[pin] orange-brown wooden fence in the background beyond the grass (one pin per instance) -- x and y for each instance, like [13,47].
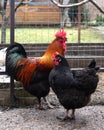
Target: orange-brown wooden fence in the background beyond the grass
[36,15]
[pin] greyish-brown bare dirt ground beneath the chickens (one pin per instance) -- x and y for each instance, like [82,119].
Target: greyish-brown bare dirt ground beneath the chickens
[90,117]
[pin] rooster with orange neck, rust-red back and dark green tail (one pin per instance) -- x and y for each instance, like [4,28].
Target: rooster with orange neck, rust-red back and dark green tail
[33,73]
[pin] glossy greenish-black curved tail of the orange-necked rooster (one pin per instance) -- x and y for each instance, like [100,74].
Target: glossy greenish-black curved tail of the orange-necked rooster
[13,53]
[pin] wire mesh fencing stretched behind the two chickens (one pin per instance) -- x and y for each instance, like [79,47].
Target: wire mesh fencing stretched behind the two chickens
[36,23]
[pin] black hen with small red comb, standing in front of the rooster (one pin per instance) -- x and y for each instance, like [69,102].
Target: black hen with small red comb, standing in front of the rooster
[73,87]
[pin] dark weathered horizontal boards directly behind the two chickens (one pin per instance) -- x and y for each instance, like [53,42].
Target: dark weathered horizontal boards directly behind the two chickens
[78,55]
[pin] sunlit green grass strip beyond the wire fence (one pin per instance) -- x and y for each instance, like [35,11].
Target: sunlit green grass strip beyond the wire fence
[46,35]
